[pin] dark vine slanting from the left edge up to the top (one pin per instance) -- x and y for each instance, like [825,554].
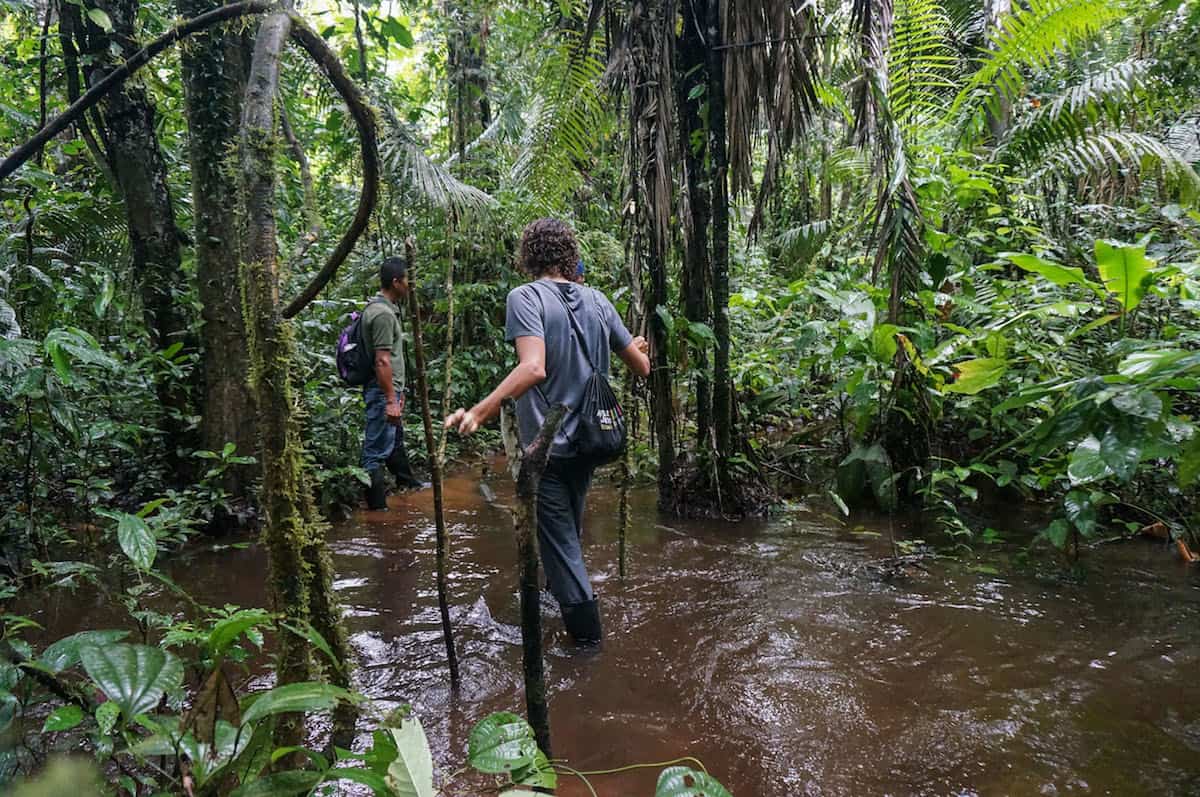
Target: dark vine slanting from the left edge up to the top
[22,154]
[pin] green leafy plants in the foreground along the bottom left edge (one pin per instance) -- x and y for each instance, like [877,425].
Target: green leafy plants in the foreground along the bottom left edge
[223,744]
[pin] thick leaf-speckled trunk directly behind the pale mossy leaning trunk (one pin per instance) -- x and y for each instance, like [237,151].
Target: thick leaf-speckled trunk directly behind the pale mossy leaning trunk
[214,73]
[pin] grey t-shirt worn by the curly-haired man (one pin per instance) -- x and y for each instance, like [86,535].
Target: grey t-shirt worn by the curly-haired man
[535,310]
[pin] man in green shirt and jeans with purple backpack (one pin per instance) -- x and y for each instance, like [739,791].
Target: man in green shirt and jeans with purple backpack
[383,442]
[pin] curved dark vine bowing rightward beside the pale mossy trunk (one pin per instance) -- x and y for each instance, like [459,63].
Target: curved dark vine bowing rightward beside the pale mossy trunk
[365,121]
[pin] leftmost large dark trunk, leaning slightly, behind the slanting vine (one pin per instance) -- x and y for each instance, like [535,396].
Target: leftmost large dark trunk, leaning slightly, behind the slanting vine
[141,171]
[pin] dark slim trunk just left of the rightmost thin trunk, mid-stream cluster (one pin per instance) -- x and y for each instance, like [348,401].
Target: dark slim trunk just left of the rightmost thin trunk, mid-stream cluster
[698,218]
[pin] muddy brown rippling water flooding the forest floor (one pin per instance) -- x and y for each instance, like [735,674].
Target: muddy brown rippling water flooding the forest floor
[759,649]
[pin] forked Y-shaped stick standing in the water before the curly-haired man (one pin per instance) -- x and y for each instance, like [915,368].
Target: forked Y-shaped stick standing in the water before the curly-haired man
[527,465]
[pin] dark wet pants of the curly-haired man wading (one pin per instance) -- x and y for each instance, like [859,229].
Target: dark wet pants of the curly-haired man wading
[561,501]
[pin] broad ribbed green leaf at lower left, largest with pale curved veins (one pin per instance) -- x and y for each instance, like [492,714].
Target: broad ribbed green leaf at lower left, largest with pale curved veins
[134,676]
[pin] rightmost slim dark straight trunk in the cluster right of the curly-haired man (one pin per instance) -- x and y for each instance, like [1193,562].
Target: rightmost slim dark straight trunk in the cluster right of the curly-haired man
[723,398]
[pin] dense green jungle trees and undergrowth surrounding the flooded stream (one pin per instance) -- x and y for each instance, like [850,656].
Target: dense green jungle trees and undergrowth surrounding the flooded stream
[920,257]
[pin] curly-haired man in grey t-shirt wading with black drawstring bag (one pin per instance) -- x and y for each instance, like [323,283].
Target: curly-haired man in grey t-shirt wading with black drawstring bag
[554,368]
